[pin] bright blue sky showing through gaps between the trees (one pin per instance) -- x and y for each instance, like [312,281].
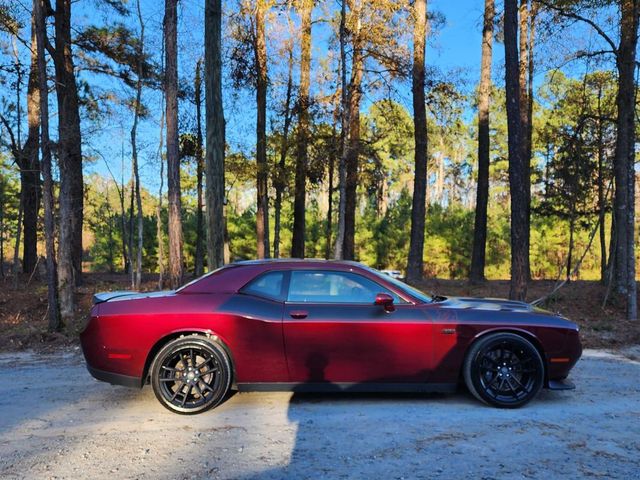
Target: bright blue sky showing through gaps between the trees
[454,50]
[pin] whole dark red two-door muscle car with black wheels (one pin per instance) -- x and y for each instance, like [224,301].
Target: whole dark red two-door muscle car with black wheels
[313,325]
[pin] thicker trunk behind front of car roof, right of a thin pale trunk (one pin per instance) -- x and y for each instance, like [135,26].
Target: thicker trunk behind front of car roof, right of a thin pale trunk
[353,144]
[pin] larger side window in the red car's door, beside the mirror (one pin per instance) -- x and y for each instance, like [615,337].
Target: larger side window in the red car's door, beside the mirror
[334,287]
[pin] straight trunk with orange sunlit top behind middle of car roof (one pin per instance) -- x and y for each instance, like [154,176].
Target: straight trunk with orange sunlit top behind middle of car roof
[305,8]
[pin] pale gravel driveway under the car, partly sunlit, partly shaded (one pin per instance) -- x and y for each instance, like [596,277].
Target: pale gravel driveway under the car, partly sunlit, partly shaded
[57,422]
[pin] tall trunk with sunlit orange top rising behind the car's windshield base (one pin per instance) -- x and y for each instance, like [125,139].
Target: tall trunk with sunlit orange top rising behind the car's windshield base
[418,207]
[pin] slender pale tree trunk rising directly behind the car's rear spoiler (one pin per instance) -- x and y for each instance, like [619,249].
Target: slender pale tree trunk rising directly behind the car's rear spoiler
[134,150]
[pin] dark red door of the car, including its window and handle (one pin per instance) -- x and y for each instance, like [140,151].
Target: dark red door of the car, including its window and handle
[334,332]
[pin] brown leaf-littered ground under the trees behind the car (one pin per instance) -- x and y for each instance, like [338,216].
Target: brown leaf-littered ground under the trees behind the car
[23,312]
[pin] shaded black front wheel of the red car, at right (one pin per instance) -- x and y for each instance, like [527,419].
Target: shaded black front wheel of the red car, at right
[504,370]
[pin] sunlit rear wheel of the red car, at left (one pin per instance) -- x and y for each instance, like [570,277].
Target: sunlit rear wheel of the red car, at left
[190,375]
